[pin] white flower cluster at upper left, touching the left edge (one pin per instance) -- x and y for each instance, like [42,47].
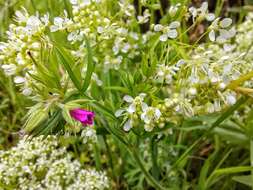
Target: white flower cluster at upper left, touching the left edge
[23,46]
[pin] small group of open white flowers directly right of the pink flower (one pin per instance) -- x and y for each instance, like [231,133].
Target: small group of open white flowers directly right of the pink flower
[137,111]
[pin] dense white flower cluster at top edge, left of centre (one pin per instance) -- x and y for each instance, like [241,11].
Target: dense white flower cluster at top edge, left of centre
[112,39]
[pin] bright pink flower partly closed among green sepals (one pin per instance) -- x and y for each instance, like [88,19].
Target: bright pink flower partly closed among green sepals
[84,116]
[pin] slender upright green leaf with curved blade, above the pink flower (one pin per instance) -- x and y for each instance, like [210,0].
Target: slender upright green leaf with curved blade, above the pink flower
[90,66]
